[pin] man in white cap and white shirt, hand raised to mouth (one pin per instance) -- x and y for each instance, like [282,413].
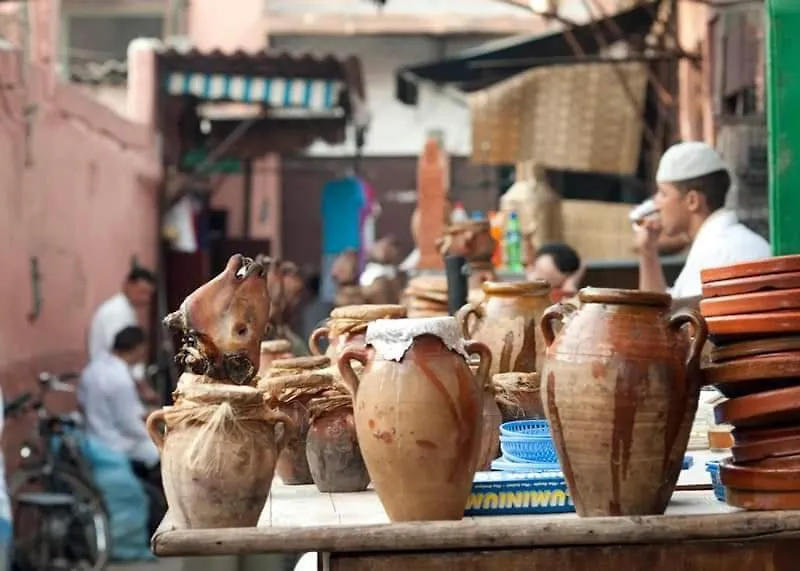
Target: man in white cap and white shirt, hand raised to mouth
[693,182]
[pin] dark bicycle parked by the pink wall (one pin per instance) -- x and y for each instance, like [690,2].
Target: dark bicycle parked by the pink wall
[72,532]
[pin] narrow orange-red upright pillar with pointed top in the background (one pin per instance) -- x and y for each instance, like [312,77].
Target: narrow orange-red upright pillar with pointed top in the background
[433,181]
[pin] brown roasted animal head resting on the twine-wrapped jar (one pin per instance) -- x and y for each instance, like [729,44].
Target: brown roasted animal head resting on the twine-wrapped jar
[223,322]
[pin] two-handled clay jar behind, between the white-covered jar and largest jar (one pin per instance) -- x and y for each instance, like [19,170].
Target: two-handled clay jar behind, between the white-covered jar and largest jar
[508,322]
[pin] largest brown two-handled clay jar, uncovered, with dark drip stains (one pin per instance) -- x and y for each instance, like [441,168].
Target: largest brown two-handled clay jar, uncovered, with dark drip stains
[620,386]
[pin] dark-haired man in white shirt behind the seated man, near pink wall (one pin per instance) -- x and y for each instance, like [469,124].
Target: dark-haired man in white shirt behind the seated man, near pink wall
[119,311]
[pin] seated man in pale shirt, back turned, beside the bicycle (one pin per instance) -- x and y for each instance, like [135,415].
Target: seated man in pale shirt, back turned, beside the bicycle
[113,411]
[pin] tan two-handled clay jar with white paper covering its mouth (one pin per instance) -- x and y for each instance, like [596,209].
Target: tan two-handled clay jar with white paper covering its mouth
[418,414]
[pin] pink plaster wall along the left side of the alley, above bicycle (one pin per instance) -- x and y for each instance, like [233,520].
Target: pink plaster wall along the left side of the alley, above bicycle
[83,201]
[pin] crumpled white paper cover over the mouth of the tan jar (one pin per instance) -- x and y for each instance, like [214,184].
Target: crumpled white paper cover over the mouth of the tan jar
[391,338]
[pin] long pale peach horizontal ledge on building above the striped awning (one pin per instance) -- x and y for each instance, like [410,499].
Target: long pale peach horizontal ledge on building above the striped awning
[326,24]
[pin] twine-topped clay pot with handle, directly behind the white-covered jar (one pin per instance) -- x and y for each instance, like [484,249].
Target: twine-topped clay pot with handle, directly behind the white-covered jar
[348,324]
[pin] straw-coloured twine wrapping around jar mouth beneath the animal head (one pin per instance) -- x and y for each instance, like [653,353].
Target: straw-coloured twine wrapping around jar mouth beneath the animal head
[214,421]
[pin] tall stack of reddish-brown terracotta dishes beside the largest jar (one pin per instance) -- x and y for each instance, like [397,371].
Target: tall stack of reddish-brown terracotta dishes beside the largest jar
[753,315]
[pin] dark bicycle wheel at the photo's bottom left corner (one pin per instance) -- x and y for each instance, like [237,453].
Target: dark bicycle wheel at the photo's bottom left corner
[87,544]
